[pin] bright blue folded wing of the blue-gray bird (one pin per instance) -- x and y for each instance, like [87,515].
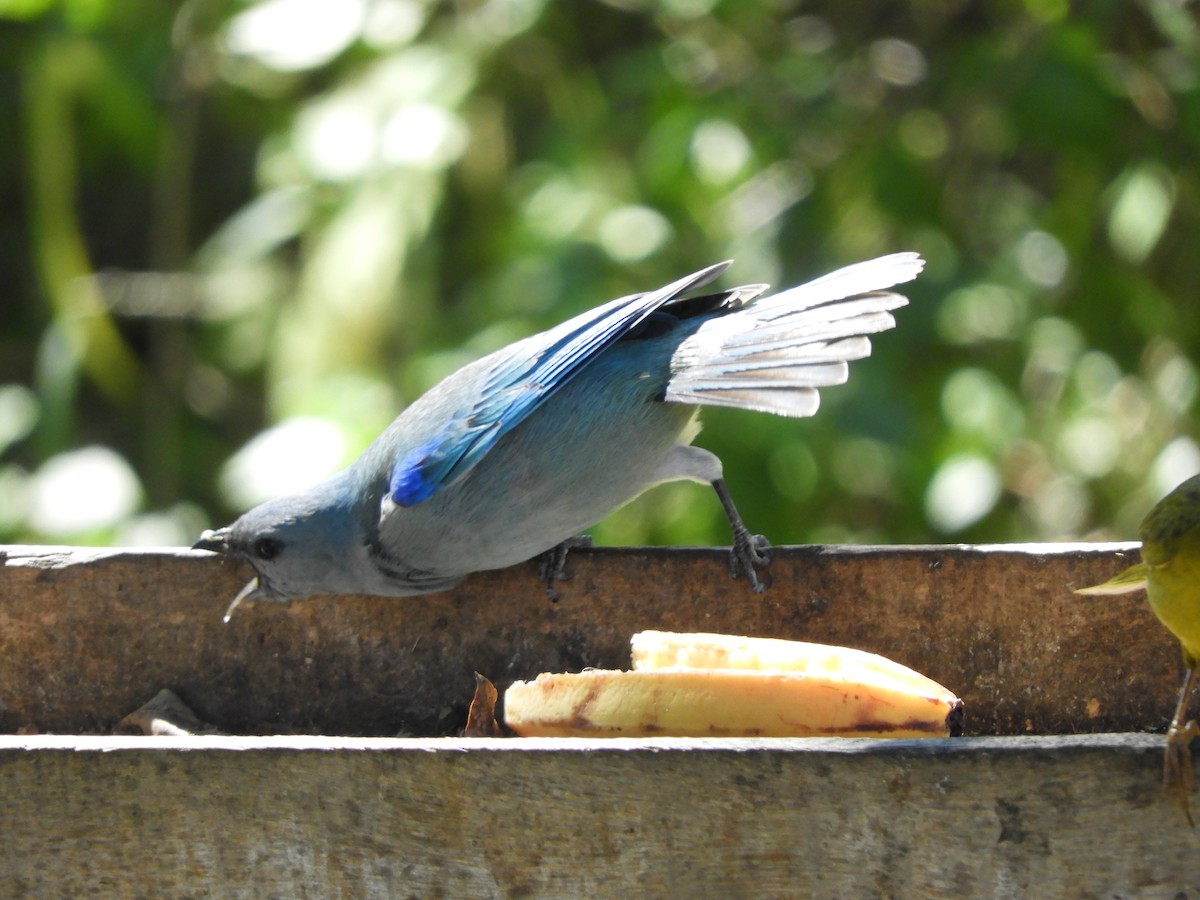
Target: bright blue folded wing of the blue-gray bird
[532,373]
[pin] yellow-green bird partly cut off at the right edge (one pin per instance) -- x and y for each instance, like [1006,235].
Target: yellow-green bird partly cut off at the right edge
[1171,573]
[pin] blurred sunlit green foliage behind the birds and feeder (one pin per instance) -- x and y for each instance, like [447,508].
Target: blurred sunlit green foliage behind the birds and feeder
[238,238]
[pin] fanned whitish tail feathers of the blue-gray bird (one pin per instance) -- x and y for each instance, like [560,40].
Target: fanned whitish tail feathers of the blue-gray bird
[773,355]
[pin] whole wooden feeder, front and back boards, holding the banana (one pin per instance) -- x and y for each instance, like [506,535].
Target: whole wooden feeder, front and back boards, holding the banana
[331,766]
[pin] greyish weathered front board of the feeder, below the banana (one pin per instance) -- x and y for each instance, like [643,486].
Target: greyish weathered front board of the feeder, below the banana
[1007,818]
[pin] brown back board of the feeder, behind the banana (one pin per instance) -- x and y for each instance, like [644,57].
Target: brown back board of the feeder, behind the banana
[87,637]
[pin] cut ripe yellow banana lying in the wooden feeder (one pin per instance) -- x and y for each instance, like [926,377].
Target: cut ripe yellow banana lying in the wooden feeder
[743,687]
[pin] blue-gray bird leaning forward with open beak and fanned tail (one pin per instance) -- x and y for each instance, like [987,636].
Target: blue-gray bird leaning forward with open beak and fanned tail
[515,454]
